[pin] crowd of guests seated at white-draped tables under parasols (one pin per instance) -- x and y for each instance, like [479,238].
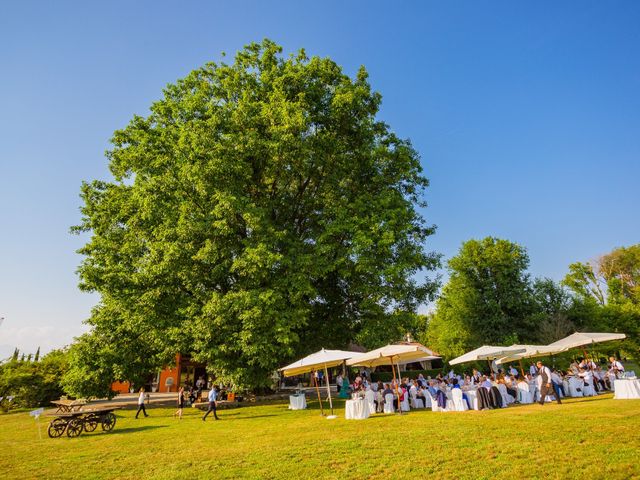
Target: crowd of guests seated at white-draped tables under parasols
[493,389]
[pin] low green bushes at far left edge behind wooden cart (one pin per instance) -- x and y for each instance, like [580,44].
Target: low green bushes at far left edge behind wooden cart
[33,384]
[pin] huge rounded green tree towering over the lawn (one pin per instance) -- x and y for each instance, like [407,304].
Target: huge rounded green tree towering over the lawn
[260,211]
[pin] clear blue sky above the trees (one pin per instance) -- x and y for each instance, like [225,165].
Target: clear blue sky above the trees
[526,115]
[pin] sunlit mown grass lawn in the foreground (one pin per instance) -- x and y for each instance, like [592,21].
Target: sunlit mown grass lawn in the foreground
[585,438]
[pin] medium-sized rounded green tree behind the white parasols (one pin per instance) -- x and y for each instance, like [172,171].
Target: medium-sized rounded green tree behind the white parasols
[487,300]
